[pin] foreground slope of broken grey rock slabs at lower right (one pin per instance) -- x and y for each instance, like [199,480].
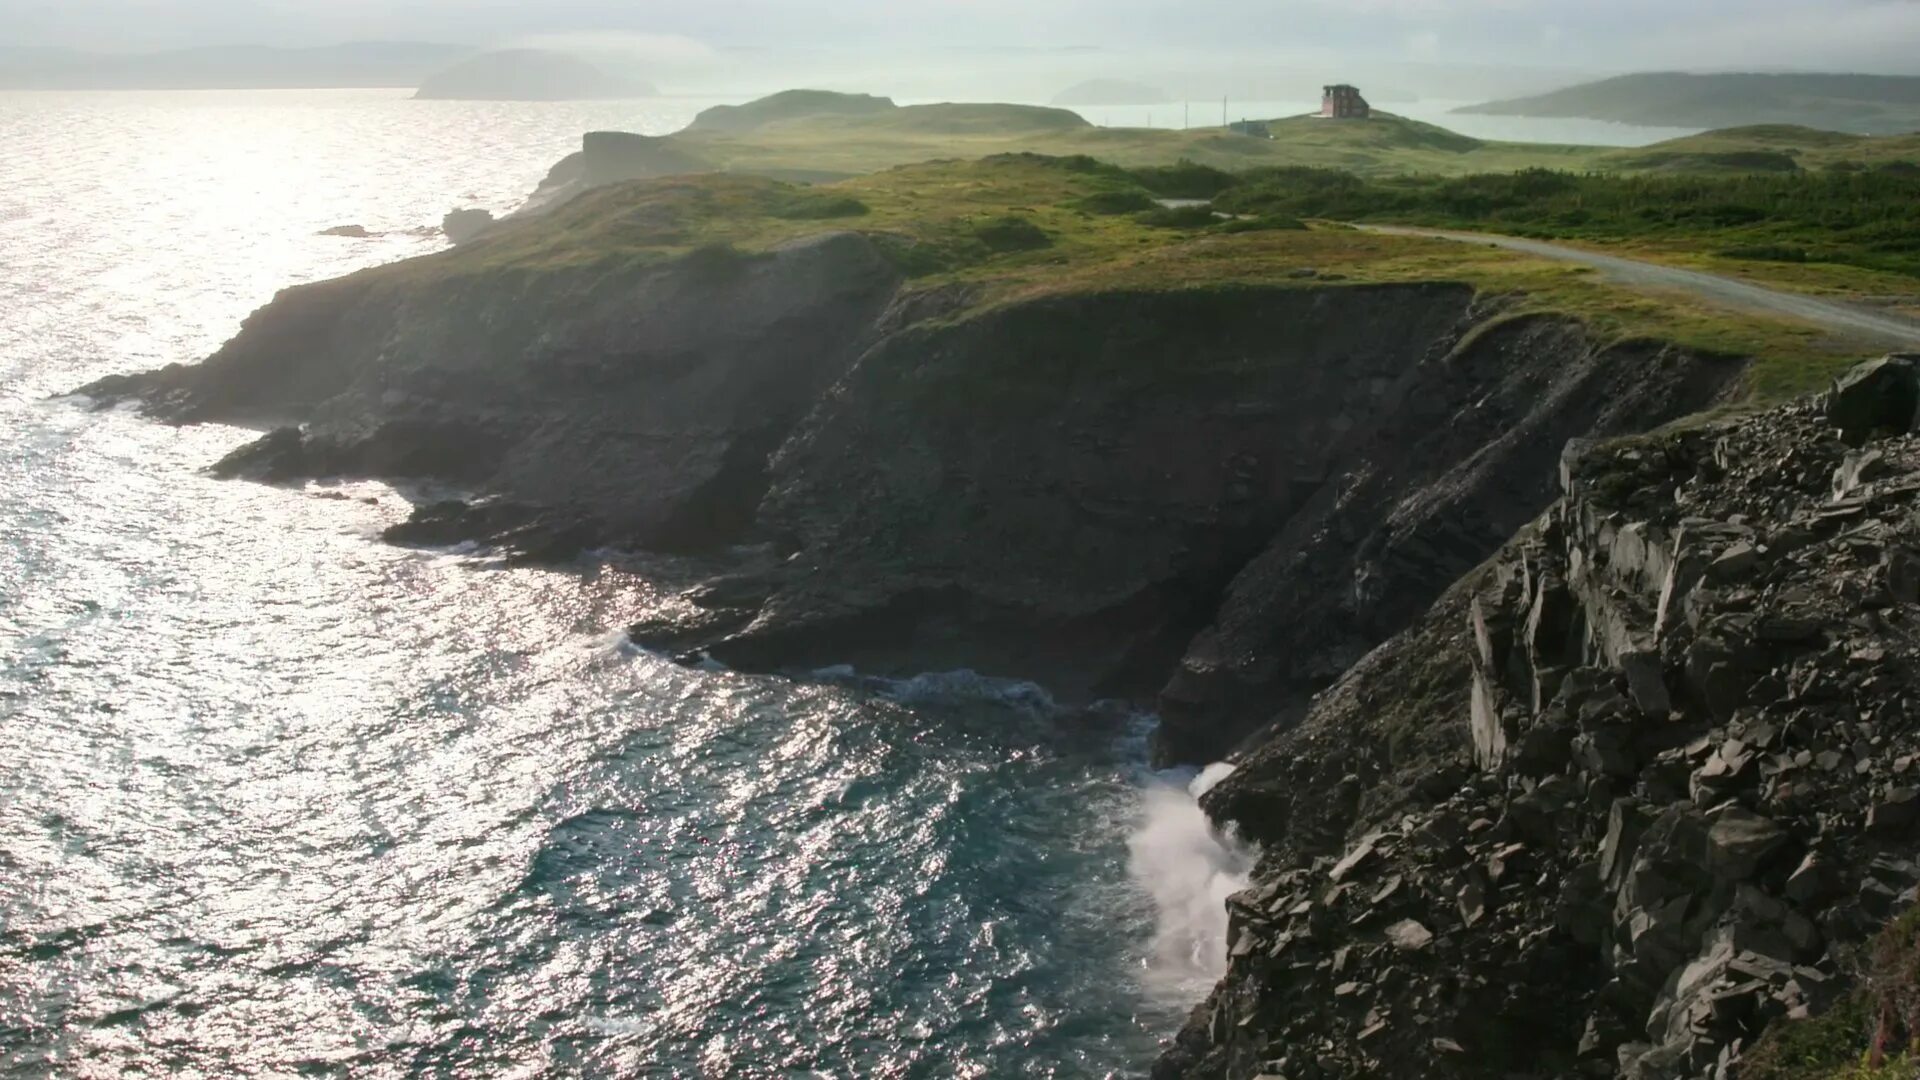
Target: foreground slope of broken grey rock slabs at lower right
[1627,795]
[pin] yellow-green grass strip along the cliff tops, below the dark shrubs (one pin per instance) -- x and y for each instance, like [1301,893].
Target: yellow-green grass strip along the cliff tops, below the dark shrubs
[1017,228]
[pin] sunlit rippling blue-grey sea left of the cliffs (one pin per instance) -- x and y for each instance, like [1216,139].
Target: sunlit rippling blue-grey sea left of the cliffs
[283,800]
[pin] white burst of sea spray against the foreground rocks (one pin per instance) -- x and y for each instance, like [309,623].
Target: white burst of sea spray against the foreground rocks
[1189,870]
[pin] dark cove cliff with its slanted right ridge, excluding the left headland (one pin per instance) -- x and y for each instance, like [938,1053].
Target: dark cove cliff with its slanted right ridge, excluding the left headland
[1028,497]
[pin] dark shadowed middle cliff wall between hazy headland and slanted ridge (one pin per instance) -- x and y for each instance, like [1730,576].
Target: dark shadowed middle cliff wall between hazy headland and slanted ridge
[1063,489]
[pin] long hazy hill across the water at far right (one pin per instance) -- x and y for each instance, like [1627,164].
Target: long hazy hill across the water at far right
[1863,105]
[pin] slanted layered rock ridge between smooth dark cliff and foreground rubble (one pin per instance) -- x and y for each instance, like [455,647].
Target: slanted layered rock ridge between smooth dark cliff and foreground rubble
[1414,493]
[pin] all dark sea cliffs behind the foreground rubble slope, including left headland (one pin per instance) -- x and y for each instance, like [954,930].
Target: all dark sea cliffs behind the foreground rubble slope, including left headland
[1241,489]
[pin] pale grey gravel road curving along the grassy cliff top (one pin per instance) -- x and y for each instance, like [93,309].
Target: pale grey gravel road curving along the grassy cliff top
[1844,318]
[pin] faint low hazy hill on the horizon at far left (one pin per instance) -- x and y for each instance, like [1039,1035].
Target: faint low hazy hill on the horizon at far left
[228,68]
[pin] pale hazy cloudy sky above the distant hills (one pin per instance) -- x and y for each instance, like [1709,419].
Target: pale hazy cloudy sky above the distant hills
[1873,36]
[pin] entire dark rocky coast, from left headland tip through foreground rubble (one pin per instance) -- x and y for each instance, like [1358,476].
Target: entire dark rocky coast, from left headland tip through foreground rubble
[1531,758]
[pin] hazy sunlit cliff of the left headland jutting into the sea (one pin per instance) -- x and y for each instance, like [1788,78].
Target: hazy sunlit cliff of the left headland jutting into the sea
[642,405]
